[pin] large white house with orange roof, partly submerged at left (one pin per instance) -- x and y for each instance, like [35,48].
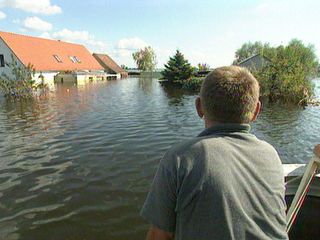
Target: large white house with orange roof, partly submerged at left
[53,60]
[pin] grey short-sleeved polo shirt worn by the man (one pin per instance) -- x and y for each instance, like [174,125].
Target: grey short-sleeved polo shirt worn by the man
[224,184]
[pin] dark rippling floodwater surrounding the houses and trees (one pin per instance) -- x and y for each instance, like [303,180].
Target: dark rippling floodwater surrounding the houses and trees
[78,164]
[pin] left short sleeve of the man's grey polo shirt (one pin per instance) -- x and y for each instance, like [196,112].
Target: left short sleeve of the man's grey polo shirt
[160,204]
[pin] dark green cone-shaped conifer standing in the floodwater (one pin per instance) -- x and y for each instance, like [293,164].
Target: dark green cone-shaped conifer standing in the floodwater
[177,69]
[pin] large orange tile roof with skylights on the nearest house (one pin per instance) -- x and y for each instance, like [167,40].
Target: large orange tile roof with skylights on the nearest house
[40,53]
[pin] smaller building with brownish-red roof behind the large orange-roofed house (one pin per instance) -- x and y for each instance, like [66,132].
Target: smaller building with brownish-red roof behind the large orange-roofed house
[110,66]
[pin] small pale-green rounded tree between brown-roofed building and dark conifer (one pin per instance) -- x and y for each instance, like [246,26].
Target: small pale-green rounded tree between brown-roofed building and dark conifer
[145,59]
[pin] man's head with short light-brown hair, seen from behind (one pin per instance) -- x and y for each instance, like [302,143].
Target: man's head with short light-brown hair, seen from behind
[229,95]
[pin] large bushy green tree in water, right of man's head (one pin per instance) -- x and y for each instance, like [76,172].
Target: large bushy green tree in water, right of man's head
[288,75]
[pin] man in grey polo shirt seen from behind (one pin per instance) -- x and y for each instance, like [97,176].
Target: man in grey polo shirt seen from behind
[226,183]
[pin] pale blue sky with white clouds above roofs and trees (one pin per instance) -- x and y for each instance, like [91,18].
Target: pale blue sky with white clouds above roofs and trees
[204,30]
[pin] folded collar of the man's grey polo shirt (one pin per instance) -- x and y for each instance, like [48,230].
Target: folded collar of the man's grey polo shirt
[226,128]
